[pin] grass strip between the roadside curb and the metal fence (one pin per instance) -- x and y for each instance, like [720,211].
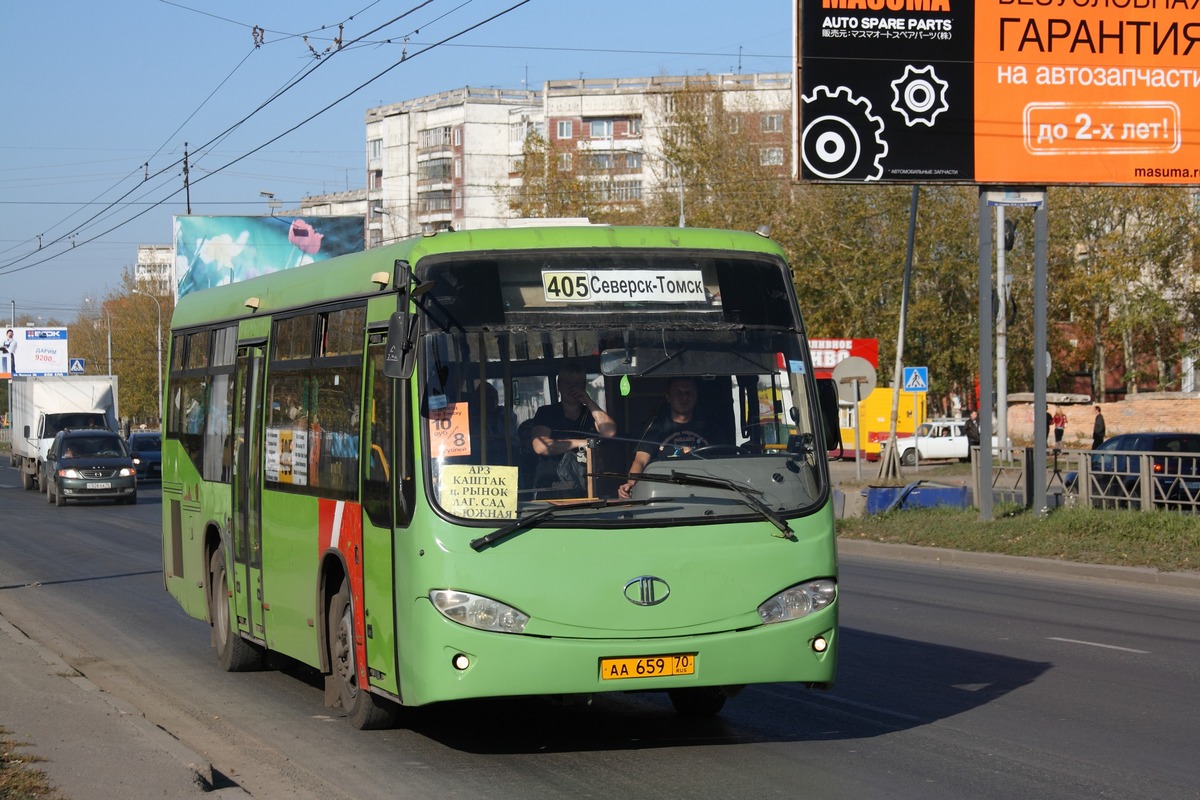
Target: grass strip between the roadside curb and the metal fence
[1166,542]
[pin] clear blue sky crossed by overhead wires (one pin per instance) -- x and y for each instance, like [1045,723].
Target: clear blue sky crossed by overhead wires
[100,99]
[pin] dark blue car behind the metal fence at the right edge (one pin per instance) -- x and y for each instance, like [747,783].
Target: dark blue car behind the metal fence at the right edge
[1115,467]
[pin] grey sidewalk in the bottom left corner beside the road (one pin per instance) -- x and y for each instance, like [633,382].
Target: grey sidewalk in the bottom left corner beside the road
[95,747]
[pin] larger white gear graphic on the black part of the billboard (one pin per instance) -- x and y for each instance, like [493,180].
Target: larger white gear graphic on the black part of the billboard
[842,139]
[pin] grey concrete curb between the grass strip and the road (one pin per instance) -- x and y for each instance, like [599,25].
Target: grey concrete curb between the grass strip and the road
[1126,575]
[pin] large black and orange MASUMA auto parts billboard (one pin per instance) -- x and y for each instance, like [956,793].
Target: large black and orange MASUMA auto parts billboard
[999,92]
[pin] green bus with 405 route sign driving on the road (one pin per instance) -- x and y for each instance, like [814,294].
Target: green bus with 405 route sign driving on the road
[351,477]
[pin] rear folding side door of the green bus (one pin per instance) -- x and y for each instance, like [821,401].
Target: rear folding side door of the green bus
[248,484]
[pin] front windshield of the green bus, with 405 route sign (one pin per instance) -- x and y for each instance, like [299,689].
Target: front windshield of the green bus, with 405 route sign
[677,387]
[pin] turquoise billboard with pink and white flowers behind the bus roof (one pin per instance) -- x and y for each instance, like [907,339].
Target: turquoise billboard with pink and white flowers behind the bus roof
[215,251]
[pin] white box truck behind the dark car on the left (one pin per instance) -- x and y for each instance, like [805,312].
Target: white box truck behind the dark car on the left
[40,407]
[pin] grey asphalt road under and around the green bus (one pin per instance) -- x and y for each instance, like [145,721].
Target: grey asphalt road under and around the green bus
[953,683]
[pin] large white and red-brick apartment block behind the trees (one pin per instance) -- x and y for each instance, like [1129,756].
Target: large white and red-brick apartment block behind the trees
[449,160]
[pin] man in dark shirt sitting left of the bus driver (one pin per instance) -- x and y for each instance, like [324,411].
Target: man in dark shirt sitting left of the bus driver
[561,432]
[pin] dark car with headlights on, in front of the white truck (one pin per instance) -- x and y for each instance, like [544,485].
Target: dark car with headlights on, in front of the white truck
[89,464]
